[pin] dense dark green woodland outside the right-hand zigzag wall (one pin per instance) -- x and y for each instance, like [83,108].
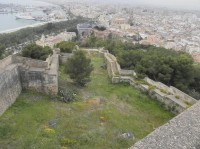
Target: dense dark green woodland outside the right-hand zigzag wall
[165,65]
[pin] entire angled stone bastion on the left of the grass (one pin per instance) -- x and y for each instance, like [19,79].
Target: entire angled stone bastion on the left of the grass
[17,73]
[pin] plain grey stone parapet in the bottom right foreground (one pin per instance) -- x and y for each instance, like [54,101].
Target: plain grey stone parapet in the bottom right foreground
[182,132]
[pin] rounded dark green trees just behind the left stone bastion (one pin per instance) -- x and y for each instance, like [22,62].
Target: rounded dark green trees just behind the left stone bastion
[36,52]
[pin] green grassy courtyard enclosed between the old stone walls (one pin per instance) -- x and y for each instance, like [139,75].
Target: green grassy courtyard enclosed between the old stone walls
[83,124]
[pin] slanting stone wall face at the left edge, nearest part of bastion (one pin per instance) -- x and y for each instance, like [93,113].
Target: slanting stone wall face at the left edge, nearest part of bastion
[10,86]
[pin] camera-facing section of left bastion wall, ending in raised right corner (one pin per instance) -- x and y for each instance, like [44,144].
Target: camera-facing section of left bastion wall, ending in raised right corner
[41,76]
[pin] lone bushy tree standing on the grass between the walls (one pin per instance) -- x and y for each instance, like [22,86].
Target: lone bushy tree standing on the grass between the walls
[79,68]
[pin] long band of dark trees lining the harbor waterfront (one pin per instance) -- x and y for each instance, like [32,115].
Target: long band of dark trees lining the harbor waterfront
[33,33]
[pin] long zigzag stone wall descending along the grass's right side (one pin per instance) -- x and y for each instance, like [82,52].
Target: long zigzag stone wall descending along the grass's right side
[173,99]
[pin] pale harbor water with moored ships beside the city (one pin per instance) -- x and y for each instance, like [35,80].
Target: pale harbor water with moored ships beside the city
[15,15]
